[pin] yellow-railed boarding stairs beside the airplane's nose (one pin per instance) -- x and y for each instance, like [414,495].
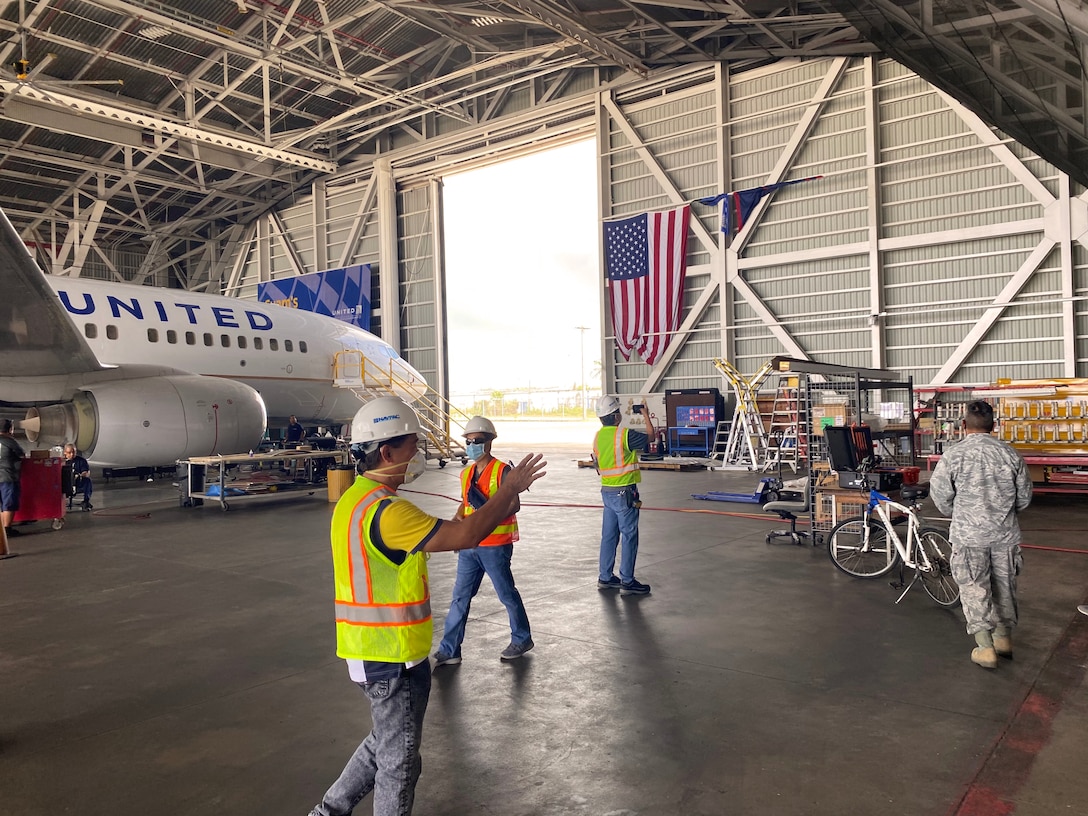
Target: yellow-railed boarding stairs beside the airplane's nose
[443,424]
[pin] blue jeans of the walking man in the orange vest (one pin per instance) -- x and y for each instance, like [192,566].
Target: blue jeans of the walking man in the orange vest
[472,566]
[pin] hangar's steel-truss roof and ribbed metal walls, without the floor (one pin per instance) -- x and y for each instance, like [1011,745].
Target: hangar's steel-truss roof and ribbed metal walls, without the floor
[214,146]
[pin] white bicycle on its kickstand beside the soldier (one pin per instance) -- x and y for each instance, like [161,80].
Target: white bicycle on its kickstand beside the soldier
[870,547]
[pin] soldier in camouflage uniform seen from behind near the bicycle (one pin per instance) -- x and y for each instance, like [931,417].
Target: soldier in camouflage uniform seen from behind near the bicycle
[983,484]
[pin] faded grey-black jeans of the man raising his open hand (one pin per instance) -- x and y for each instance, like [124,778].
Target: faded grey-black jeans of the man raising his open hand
[388,762]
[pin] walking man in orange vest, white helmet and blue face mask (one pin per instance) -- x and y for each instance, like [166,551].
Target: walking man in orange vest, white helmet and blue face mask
[480,481]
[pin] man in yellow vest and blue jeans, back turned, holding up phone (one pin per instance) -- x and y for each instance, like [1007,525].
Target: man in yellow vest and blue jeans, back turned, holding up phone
[616,459]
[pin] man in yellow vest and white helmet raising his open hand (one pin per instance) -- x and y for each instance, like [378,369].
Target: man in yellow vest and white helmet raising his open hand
[380,543]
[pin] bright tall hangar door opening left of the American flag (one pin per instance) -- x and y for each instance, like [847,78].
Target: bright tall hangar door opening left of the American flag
[523,296]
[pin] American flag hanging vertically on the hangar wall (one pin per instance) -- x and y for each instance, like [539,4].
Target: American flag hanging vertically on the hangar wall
[646,257]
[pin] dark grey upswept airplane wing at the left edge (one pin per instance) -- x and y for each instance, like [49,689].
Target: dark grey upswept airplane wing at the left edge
[36,336]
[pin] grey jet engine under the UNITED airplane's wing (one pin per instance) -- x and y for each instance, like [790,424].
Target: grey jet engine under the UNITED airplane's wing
[154,421]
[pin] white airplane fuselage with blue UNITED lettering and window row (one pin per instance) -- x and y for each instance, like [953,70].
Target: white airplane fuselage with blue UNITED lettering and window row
[287,355]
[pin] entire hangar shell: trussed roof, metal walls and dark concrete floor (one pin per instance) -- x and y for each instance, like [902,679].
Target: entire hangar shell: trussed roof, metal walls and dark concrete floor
[214,145]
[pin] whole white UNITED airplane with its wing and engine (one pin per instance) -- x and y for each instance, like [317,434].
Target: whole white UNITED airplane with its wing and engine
[138,376]
